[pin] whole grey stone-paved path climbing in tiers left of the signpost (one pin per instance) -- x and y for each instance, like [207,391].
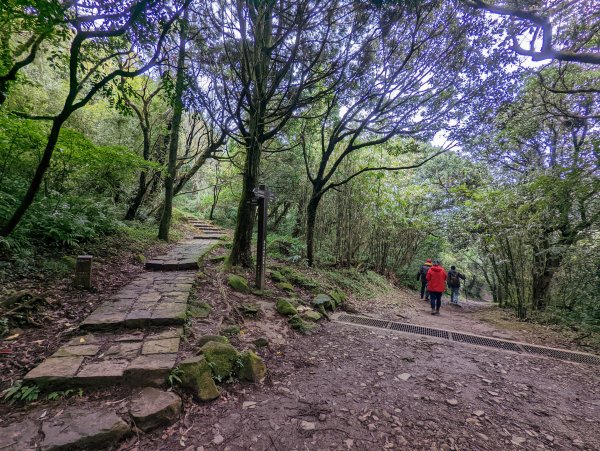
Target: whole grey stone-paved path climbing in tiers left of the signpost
[133,338]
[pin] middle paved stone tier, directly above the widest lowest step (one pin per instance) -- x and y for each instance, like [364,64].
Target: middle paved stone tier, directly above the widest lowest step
[152,299]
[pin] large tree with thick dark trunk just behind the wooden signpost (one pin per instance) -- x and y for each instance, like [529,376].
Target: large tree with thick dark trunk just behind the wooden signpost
[270,63]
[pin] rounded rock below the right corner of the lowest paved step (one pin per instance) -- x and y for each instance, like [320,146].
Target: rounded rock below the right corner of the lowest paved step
[152,408]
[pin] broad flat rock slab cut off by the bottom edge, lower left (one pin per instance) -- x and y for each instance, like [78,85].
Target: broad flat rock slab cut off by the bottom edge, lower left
[81,429]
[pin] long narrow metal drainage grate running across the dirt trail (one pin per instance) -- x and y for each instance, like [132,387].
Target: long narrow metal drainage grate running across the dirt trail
[560,354]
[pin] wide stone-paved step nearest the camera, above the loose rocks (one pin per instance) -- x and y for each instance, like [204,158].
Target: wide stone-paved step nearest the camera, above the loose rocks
[139,358]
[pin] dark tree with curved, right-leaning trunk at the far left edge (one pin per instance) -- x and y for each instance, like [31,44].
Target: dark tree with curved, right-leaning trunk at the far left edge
[100,34]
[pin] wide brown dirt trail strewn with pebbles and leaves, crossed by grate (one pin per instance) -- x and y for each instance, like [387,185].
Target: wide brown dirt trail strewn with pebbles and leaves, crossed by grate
[348,387]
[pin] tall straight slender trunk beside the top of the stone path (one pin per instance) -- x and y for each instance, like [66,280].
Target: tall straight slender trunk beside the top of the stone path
[165,222]
